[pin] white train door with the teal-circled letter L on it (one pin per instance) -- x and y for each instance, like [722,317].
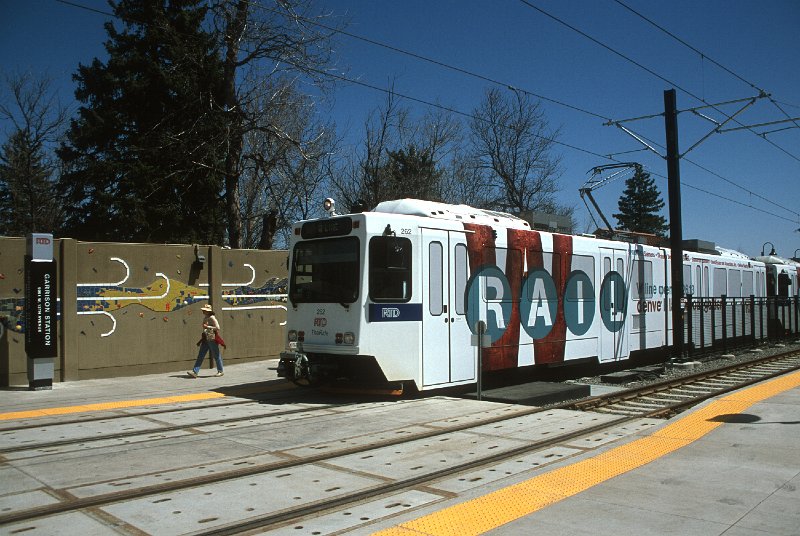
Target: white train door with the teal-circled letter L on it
[614,292]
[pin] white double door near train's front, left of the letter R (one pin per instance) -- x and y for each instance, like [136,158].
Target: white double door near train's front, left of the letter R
[447,355]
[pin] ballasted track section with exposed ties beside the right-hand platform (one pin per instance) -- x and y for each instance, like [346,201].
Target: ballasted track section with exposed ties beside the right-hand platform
[664,399]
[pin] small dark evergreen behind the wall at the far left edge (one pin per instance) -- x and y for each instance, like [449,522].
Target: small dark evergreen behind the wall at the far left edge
[27,201]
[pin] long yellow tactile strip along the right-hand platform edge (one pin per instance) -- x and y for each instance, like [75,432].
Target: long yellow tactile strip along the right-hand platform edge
[508,504]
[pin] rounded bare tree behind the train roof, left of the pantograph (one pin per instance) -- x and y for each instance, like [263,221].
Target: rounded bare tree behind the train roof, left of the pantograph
[513,147]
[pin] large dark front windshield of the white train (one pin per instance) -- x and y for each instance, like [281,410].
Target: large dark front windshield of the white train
[325,271]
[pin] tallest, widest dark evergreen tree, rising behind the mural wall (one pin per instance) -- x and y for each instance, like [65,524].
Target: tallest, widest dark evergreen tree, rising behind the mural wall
[143,159]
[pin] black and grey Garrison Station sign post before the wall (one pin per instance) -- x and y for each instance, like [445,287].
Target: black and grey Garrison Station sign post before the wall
[41,310]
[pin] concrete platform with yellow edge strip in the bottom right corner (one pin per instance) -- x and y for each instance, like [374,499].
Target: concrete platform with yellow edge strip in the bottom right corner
[730,466]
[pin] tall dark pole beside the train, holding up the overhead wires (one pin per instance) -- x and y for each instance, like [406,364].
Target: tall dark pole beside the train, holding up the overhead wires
[675,224]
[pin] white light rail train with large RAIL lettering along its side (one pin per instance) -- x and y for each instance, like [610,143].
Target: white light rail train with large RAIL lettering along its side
[395,294]
